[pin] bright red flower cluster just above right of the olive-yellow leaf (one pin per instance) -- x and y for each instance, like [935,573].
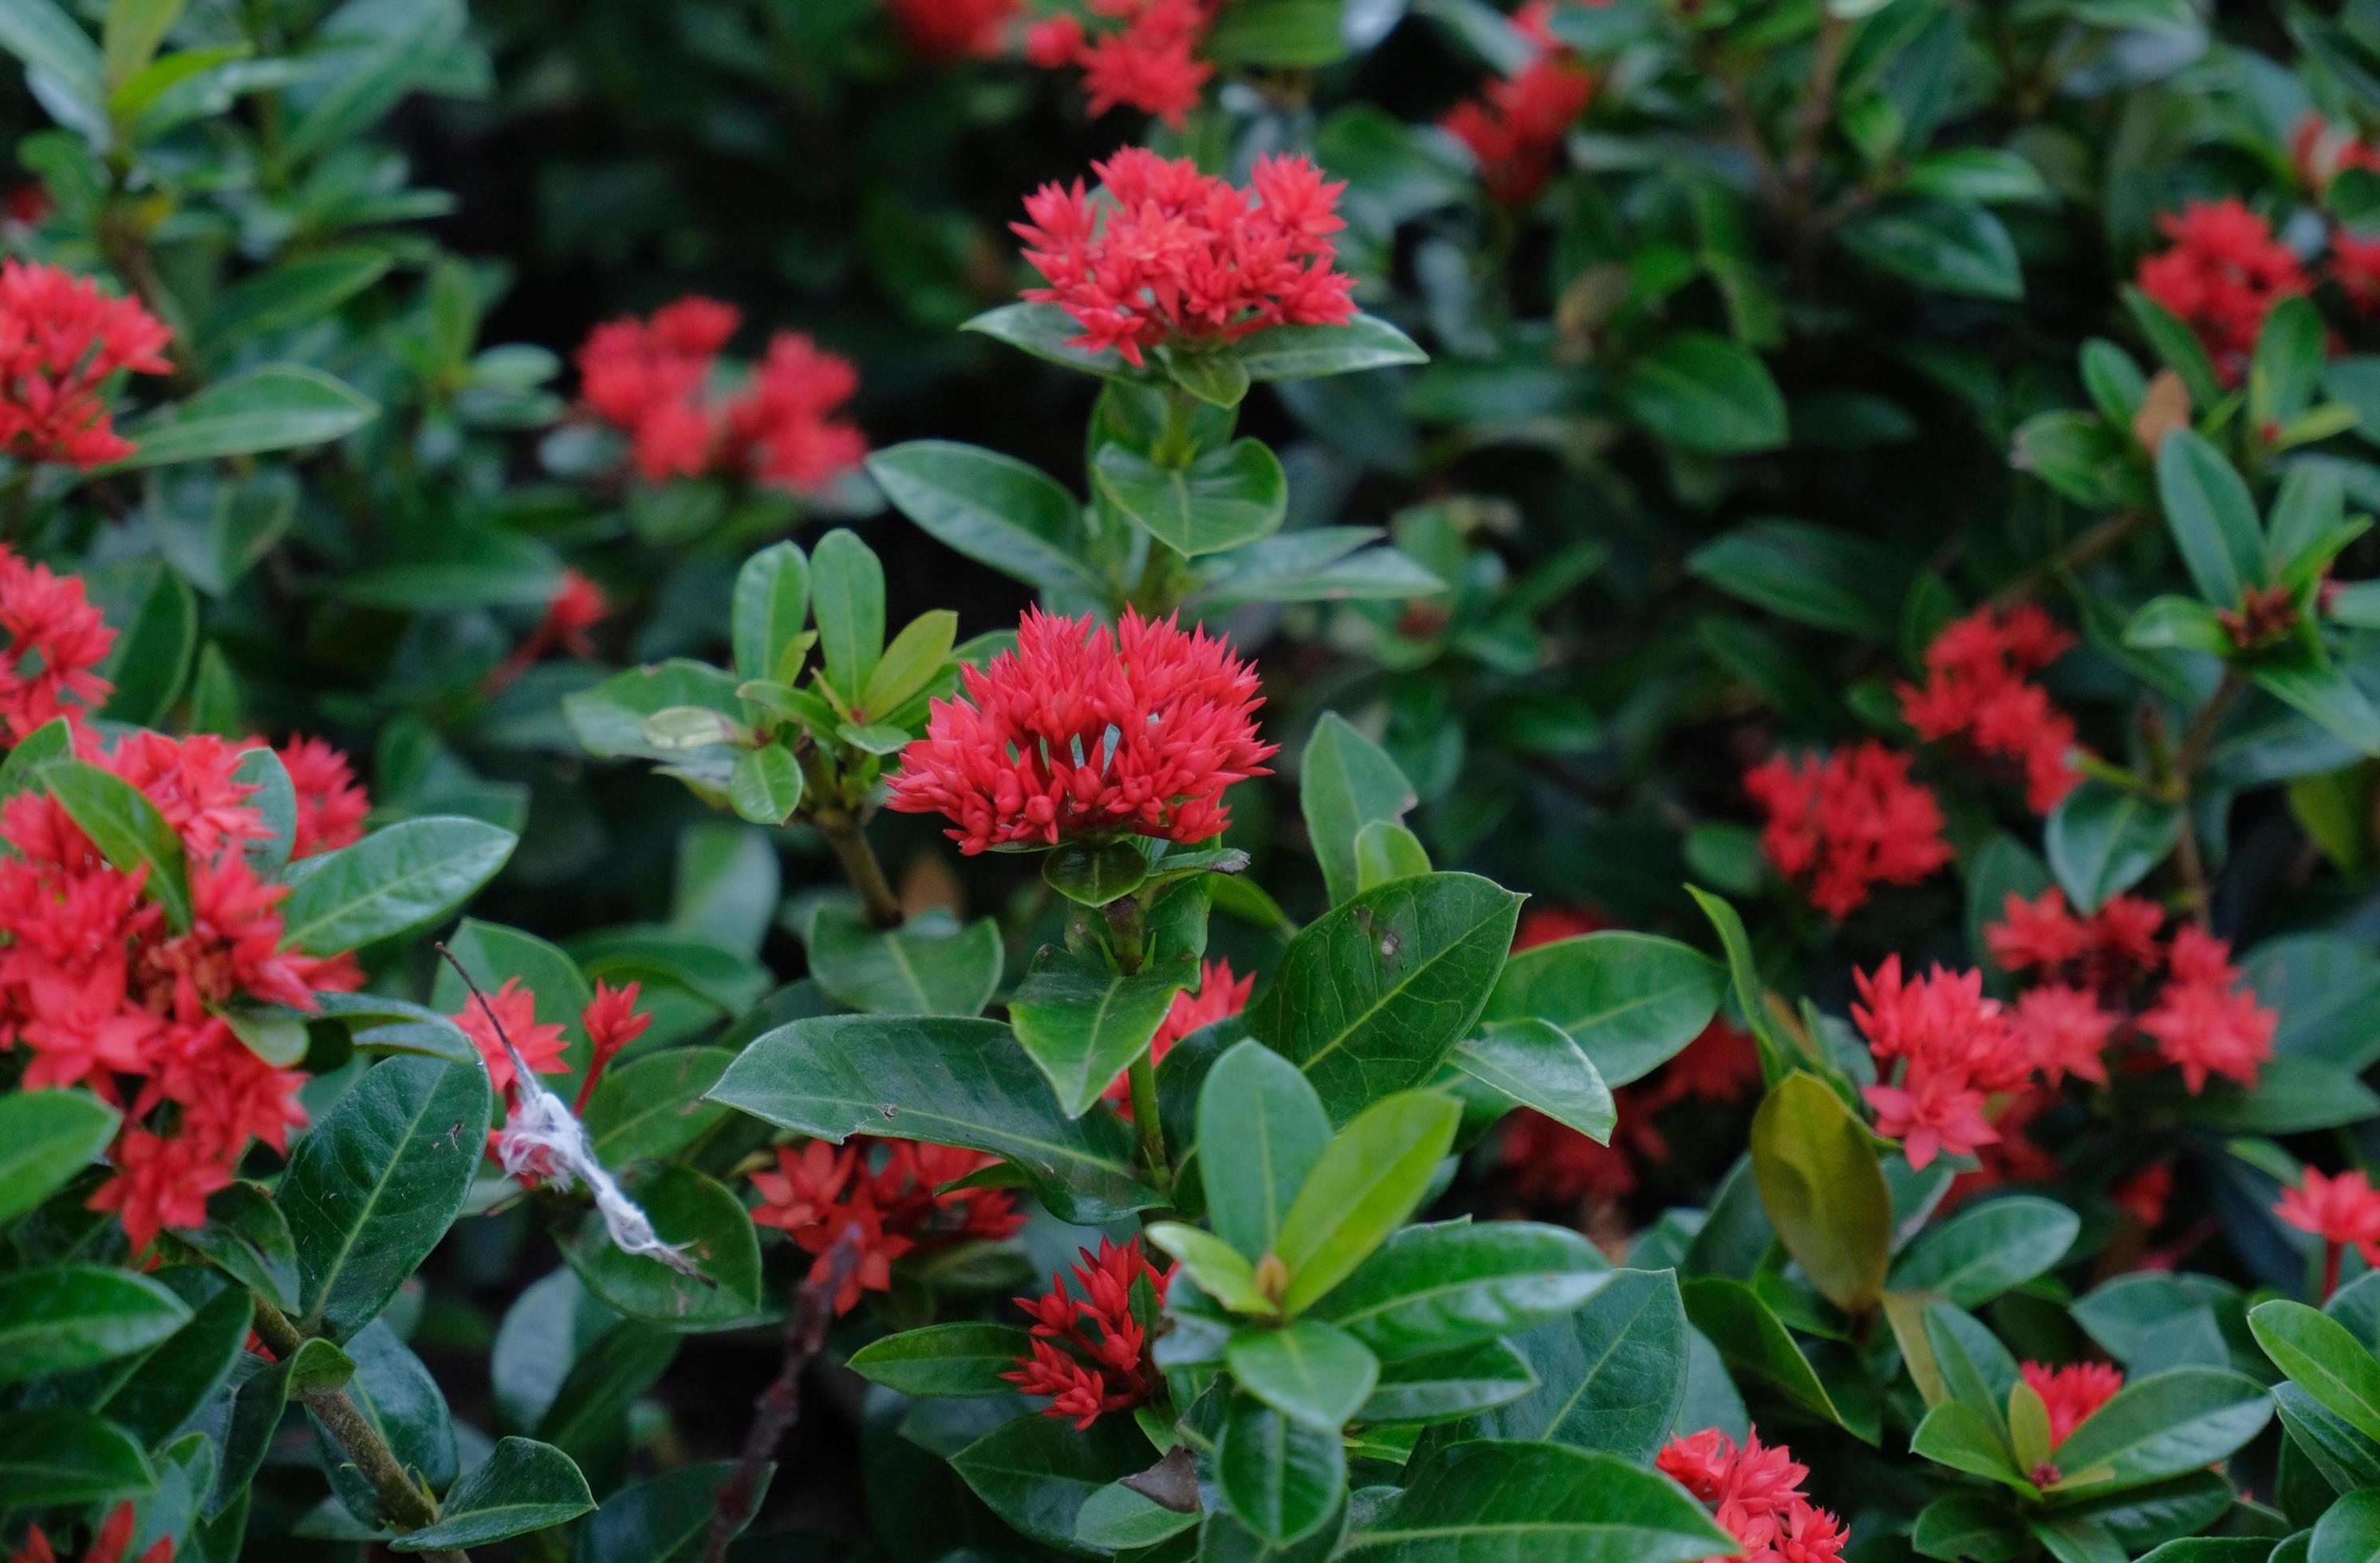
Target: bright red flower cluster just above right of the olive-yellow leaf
[1955,1050]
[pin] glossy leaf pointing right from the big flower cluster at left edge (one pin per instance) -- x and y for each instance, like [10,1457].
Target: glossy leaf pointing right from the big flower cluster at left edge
[394,881]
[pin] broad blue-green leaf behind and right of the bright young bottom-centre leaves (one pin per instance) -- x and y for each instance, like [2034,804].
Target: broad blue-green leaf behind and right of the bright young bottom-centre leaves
[1612,1376]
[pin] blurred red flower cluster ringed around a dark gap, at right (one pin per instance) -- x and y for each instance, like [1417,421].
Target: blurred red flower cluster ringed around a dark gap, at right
[2093,979]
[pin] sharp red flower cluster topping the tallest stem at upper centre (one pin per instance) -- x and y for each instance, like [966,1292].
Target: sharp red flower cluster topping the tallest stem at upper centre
[1184,258]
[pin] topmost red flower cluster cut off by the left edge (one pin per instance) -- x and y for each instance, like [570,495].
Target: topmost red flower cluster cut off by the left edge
[61,339]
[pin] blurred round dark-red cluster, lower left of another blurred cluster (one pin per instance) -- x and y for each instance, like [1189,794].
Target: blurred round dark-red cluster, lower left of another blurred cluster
[1848,822]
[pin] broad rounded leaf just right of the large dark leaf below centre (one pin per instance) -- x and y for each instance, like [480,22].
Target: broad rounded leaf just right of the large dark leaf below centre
[1629,1000]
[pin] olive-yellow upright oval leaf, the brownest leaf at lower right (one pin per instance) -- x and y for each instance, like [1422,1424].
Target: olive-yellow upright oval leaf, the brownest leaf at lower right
[1824,1191]
